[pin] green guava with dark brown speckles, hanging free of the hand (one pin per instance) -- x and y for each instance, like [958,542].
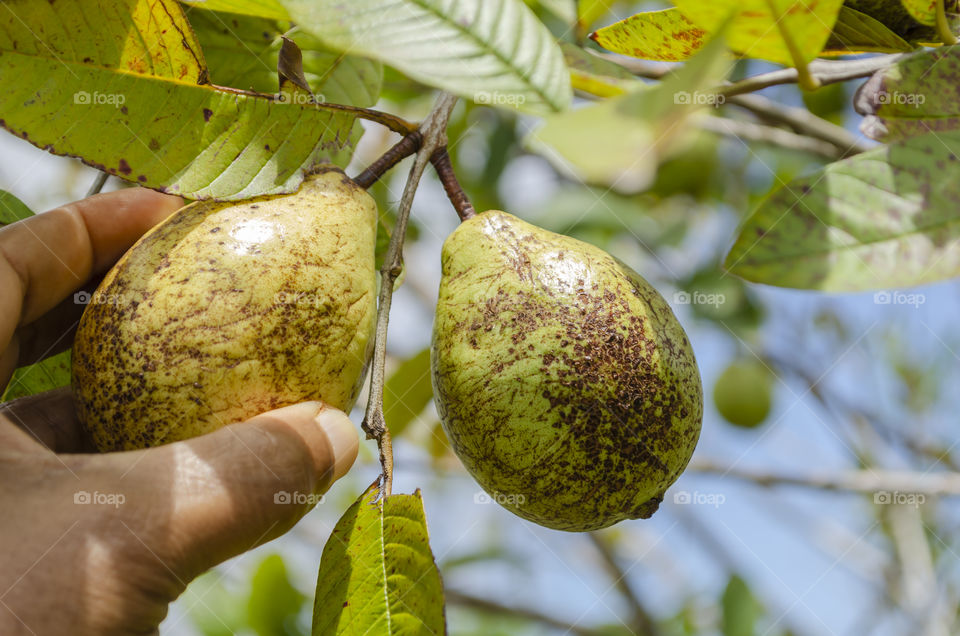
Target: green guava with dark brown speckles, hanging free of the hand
[565,383]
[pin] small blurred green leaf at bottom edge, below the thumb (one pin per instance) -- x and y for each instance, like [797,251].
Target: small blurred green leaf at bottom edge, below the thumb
[274,603]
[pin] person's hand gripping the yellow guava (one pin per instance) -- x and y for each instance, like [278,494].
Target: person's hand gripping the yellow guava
[101,544]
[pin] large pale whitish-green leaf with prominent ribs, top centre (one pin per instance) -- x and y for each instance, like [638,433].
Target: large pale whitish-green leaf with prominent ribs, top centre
[491,51]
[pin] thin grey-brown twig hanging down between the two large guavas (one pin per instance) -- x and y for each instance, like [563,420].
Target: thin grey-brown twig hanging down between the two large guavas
[433,131]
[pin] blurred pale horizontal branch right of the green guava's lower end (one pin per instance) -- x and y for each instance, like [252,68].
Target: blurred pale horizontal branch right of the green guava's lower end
[946,484]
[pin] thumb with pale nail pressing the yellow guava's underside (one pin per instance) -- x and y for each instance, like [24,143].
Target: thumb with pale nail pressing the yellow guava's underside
[246,483]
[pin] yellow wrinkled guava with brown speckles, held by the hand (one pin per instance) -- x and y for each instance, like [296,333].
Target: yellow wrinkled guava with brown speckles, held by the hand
[226,310]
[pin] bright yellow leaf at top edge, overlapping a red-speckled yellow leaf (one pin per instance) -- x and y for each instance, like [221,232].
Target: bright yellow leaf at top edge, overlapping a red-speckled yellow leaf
[775,30]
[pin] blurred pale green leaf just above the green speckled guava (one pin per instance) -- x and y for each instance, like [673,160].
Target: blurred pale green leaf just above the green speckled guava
[619,142]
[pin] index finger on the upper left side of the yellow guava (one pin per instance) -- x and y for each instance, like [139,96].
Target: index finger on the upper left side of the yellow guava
[46,257]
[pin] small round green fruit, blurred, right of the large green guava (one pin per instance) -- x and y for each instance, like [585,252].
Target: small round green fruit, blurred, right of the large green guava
[743,393]
